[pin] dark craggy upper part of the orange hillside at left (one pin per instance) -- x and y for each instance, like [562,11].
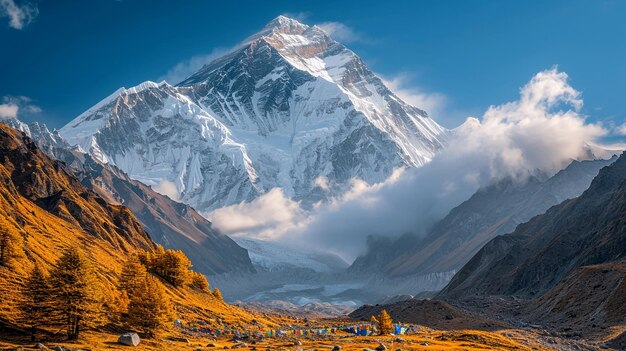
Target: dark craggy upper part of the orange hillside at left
[35,177]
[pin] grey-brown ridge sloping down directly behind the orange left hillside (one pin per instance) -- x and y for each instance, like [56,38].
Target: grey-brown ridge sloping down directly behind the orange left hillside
[170,223]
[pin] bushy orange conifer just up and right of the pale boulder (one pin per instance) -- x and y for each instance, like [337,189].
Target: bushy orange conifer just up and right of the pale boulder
[149,308]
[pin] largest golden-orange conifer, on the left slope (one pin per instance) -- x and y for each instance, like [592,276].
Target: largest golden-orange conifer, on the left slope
[75,299]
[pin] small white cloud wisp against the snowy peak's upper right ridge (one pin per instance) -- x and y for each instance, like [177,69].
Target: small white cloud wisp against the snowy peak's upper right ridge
[431,102]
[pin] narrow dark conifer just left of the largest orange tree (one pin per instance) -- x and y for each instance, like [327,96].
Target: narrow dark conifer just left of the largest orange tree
[36,306]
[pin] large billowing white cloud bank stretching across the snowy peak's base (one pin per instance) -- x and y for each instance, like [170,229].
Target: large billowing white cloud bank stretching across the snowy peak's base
[543,130]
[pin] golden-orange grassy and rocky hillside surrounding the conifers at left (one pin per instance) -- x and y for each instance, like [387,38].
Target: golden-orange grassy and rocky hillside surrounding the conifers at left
[49,210]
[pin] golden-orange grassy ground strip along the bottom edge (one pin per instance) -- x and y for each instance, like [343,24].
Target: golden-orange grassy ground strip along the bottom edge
[422,339]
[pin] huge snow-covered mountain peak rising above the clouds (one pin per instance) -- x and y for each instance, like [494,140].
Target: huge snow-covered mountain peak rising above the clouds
[288,106]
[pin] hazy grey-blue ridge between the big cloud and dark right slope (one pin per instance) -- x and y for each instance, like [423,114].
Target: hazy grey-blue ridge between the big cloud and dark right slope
[491,211]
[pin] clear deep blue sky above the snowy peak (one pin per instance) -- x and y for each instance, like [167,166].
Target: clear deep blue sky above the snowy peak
[459,57]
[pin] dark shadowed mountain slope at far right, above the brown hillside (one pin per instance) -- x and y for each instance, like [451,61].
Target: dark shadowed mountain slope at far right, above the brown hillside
[587,230]
